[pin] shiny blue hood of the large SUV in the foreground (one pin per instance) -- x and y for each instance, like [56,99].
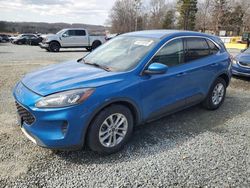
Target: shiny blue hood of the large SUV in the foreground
[66,76]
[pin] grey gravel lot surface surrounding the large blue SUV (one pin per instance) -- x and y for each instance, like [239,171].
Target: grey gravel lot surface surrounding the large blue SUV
[192,148]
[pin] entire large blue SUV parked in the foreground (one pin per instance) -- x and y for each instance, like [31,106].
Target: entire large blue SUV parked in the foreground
[132,79]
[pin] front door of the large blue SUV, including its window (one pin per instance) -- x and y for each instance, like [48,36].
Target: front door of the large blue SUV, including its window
[165,93]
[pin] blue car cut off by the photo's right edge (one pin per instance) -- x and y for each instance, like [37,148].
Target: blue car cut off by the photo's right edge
[241,63]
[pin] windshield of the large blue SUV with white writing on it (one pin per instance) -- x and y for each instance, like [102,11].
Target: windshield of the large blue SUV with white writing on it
[121,53]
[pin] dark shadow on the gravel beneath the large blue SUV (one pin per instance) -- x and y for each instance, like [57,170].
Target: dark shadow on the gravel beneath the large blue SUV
[166,133]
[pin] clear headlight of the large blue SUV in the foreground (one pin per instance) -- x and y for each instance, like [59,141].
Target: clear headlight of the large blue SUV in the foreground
[66,98]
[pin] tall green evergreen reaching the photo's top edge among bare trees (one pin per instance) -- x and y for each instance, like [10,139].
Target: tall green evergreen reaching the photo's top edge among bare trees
[187,10]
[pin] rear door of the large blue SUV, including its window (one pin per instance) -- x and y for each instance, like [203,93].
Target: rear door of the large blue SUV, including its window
[201,66]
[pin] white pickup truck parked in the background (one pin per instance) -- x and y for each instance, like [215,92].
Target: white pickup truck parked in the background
[71,38]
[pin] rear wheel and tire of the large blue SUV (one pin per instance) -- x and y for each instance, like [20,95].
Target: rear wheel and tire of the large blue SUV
[216,95]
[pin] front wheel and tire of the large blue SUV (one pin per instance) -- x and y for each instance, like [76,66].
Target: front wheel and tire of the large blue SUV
[99,130]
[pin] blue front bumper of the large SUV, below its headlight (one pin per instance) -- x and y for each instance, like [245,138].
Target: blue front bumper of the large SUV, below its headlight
[58,128]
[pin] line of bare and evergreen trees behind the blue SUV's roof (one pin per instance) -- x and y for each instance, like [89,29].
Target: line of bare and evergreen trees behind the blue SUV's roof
[211,16]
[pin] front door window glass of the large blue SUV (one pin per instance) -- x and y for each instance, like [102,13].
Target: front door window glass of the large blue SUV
[171,54]
